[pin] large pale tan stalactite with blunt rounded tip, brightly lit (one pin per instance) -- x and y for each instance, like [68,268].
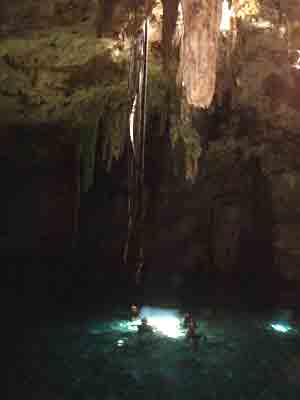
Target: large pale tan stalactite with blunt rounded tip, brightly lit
[201,24]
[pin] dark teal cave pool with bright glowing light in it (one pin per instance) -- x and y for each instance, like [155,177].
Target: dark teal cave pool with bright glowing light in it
[241,355]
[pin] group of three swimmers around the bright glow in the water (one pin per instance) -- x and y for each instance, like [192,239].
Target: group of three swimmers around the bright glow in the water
[188,323]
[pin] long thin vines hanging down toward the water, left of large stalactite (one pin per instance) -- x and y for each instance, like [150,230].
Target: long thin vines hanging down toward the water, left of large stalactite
[137,87]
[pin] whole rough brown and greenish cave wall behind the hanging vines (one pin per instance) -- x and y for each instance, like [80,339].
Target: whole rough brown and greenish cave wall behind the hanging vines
[63,101]
